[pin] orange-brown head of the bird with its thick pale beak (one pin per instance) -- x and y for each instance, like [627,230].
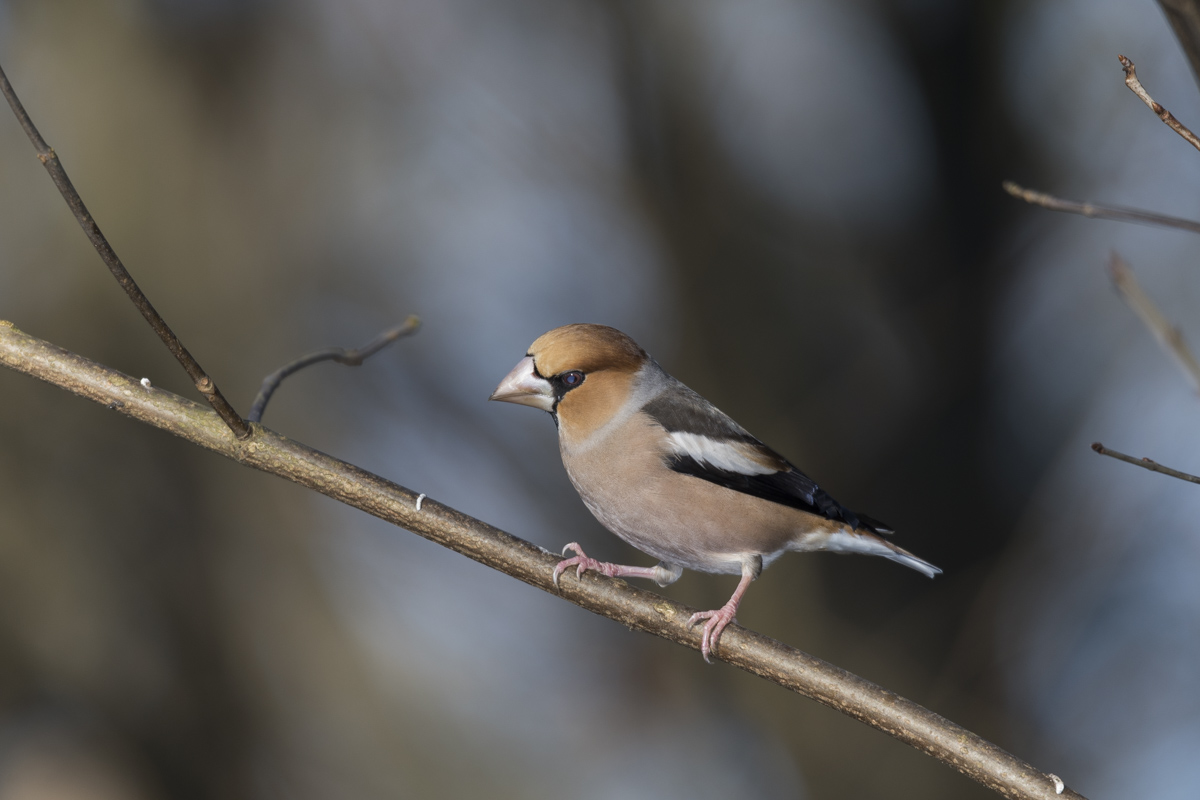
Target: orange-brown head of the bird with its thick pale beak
[583,374]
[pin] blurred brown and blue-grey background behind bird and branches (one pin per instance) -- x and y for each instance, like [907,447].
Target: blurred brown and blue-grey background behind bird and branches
[795,206]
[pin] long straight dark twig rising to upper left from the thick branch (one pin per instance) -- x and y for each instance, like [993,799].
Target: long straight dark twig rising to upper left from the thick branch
[51,161]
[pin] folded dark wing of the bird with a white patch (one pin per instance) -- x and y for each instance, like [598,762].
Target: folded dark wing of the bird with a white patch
[707,444]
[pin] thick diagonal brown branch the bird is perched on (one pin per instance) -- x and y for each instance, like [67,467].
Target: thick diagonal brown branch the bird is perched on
[637,609]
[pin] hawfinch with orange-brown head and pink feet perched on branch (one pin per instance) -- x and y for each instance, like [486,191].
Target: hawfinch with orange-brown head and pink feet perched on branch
[673,476]
